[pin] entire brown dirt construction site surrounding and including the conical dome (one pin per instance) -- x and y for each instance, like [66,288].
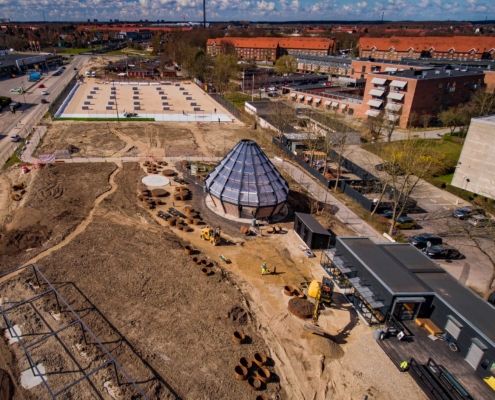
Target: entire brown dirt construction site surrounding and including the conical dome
[132,267]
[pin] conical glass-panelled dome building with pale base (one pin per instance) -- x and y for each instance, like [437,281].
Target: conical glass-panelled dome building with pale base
[246,184]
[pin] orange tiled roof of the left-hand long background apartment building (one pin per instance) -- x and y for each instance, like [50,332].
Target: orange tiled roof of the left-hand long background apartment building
[295,42]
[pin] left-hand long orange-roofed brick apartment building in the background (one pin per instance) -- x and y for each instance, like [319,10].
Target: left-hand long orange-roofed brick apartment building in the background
[270,48]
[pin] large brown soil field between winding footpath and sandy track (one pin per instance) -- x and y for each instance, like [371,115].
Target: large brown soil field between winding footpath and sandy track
[178,319]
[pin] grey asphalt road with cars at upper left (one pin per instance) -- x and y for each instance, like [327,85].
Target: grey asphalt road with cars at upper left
[32,110]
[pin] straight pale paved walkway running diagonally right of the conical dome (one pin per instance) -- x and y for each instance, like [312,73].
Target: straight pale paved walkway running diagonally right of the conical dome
[320,193]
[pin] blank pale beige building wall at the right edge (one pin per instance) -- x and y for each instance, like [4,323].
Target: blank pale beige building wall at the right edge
[476,167]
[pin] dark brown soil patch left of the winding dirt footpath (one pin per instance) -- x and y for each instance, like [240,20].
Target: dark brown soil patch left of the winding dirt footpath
[58,200]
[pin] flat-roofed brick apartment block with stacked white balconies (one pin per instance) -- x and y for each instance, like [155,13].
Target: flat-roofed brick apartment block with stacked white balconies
[408,95]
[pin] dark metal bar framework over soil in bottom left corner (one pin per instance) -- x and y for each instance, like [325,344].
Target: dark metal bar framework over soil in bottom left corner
[107,359]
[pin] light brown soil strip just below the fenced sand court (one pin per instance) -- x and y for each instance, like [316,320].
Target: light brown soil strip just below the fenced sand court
[103,139]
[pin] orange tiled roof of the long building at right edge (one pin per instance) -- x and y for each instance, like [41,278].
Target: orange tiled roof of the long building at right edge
[460,44]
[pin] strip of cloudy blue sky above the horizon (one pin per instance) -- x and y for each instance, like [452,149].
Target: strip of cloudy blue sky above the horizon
[78,10]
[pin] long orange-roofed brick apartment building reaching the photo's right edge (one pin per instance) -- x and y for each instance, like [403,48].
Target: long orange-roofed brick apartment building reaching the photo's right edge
[437,47]
